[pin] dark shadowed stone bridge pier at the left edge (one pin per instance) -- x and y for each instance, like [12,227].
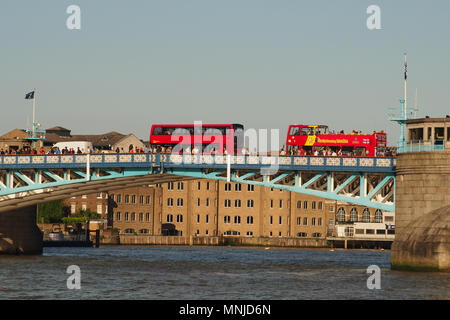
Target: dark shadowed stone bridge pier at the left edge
[19,233]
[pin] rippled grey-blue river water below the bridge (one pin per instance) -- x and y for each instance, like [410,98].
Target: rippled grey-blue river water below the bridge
[178,272]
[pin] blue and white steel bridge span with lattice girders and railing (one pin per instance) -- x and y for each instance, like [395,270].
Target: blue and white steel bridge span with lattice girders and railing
[27,180]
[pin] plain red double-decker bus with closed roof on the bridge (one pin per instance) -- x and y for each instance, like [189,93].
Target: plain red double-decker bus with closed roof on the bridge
[205,138]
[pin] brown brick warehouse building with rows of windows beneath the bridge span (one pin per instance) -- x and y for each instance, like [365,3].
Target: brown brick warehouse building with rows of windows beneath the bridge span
[213,208]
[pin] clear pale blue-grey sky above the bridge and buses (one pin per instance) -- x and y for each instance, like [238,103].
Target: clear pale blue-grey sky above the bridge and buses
[263,63]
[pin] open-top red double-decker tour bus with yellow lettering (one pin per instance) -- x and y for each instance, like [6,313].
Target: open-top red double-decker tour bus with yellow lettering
[318,140]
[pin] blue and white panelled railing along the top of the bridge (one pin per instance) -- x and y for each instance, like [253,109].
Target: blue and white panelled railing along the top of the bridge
[171,160]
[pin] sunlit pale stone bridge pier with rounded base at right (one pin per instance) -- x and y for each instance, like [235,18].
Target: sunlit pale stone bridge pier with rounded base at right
[422,236]
